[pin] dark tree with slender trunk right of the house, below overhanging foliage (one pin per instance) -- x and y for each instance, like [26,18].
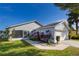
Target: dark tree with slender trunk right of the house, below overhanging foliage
[73,18]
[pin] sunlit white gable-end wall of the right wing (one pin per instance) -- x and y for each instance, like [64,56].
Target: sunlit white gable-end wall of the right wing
[63,34]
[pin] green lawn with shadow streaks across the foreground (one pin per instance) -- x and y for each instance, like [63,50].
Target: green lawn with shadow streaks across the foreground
[21,48]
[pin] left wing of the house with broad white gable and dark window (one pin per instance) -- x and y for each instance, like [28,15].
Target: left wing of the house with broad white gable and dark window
[20,31]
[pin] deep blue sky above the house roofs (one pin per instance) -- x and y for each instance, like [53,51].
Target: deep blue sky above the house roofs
[11,14]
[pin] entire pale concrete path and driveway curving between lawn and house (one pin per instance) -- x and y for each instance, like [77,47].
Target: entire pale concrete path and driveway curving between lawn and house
[61,46]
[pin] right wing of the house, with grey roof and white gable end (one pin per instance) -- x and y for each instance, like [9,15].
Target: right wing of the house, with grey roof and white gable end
[58,30]
